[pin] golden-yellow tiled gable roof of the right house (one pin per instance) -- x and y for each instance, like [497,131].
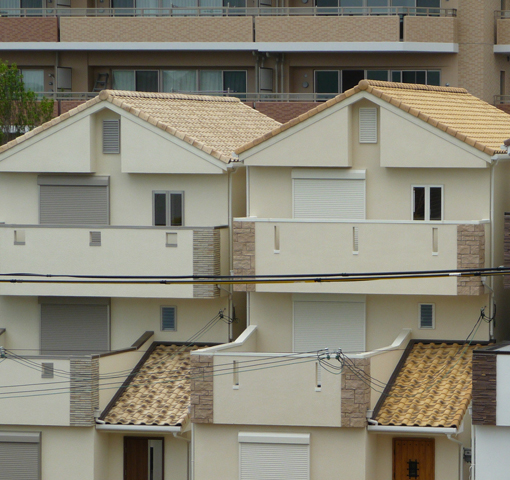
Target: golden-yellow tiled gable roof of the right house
[452,110]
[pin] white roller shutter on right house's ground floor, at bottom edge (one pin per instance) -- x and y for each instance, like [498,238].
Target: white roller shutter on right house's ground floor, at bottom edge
[269,456]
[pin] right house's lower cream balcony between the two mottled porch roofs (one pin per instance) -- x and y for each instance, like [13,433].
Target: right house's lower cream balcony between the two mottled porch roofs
[288,389]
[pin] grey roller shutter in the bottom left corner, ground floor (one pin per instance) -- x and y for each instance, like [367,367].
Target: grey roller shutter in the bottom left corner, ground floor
[19,461]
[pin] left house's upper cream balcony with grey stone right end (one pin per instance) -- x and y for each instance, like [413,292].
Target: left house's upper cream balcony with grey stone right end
[118,251]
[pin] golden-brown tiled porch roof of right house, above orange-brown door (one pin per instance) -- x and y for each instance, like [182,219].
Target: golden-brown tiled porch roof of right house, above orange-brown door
[432,388]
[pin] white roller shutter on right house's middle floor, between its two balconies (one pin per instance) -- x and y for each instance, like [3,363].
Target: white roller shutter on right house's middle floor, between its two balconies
[320,324]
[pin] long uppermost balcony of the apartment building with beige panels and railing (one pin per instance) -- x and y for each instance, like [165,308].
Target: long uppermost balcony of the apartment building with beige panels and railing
[241,25]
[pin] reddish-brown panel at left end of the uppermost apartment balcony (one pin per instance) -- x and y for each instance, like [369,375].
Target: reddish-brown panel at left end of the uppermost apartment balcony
[28,29]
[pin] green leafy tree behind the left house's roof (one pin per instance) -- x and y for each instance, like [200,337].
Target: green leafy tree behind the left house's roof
[20,109]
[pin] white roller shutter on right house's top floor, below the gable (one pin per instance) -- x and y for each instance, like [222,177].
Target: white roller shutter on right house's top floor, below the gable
[329,198]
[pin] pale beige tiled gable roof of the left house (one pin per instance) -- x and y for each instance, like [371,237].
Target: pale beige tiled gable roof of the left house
[216,125]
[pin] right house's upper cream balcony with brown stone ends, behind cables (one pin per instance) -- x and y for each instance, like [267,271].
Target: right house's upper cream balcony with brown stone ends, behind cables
[310,246]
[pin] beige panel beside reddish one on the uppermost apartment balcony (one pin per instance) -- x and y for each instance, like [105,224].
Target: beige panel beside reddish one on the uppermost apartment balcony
[154,29]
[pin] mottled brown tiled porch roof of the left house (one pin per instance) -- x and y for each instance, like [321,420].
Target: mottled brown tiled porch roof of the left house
[159,392]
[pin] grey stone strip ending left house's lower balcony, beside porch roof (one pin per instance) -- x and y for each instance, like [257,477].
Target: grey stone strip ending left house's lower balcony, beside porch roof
[84,391]
